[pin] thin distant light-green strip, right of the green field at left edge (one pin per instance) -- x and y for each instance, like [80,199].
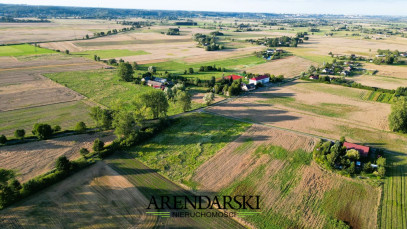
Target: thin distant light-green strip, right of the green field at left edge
[110,53]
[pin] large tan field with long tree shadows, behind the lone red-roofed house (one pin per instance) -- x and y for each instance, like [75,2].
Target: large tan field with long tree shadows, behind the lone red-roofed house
[319,109]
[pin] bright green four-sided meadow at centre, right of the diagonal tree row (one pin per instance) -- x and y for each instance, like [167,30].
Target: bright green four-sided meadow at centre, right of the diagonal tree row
[189,142]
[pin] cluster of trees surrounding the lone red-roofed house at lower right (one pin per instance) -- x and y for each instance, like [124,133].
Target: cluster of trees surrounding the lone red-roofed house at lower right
[335,156]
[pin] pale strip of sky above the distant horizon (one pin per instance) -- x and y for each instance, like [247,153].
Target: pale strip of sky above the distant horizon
[365,7]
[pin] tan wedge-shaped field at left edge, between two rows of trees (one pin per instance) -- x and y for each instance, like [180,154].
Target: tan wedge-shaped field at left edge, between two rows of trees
[32,159]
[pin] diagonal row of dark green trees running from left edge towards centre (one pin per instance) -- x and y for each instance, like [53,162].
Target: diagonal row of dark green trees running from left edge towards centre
[11,190]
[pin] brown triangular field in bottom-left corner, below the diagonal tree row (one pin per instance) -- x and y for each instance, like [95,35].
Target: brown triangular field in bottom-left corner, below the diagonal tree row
[97,197]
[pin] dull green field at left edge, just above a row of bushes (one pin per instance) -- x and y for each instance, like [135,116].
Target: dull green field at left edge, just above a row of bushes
[64,114]
